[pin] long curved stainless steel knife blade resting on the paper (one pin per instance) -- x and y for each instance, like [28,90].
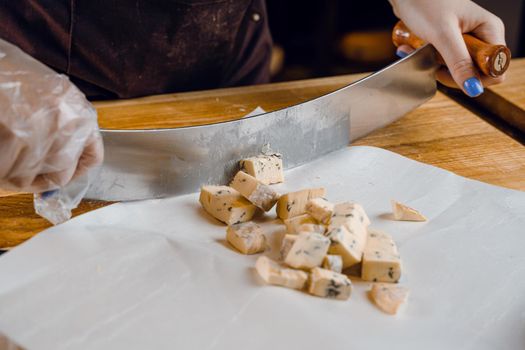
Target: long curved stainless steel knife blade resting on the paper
[155,163]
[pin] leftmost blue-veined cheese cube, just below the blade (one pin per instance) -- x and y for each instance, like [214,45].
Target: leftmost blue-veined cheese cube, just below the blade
[226,204]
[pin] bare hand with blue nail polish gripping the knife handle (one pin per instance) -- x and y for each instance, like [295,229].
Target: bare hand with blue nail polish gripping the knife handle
[441,23]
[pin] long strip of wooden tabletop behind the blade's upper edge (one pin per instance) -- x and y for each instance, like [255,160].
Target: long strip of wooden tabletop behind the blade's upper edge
[204,107]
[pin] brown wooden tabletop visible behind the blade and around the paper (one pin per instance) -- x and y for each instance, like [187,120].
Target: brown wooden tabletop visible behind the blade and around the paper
[440,132]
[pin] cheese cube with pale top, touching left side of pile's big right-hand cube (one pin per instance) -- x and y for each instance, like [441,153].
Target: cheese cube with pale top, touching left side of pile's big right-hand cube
[348,241]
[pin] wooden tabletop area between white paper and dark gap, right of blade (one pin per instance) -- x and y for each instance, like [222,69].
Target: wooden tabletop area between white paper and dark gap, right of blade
[447,135]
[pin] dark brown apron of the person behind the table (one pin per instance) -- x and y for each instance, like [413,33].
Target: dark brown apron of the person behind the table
[123,48]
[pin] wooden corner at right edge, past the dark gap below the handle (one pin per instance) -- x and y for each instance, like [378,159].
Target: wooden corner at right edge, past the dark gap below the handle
[507,100]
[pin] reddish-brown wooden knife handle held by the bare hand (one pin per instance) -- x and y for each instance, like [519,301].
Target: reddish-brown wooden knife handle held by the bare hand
[492,60]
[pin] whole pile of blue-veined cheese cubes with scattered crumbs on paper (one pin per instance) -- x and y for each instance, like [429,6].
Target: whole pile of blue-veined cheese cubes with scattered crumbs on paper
[322,238]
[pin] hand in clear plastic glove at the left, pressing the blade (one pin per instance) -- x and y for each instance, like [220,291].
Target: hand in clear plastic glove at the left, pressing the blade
[48,130]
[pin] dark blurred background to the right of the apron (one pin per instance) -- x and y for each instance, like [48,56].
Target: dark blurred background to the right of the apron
[329,37]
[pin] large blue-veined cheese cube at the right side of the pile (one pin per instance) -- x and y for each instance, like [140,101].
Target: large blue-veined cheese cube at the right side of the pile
[381,261]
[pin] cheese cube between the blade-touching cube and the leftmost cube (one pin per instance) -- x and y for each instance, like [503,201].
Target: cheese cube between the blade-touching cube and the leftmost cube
[259,194]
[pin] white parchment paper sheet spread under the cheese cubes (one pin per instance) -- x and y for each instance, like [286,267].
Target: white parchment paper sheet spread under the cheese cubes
[159,275]
